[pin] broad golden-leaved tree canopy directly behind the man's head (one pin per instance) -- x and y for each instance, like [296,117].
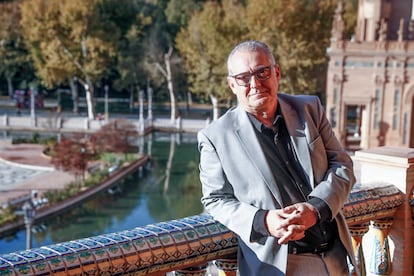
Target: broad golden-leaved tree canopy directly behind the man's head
[297,31]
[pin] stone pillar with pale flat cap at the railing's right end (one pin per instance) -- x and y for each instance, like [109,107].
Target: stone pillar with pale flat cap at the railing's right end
[394,165]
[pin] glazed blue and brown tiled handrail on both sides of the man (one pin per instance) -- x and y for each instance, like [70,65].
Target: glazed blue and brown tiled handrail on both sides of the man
[179,244]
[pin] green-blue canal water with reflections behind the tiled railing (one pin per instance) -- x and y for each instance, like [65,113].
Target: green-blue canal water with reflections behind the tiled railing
[167,189]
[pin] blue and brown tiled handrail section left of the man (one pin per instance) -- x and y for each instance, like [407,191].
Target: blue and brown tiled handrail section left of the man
[162,246]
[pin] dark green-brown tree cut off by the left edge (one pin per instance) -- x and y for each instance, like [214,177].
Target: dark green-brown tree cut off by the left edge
[14,57]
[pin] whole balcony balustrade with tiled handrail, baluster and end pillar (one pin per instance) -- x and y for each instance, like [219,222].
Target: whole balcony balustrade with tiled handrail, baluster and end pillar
[379,217]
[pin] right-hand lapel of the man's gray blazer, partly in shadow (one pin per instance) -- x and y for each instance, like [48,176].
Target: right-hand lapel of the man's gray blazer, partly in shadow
[297,132]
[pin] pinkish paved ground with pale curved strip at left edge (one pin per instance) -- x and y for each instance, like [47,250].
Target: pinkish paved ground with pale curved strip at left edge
[24,168]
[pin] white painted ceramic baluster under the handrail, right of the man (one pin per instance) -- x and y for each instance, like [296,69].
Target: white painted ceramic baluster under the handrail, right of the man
[380,263]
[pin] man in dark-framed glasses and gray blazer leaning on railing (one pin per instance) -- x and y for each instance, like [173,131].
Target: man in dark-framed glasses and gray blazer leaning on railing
[273,172]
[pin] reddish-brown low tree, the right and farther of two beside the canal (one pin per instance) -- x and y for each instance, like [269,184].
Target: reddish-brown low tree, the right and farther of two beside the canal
[115,136]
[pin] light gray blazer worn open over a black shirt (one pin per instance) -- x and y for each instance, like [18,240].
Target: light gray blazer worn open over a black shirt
[237,181]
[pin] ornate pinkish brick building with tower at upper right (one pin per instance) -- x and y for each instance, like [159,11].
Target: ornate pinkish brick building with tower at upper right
[370,81]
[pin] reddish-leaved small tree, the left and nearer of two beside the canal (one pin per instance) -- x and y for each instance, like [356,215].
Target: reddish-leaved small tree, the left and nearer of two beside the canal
[72,155]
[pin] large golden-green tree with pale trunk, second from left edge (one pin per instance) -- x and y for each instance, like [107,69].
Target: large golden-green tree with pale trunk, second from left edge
[70,39]
